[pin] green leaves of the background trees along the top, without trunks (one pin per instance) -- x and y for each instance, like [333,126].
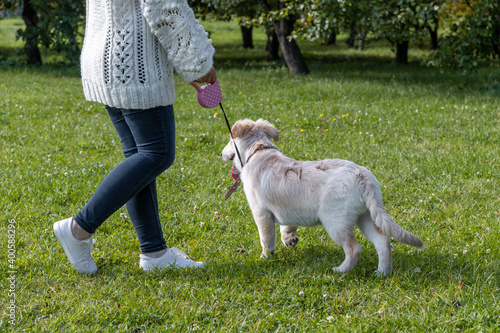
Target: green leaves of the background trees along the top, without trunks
[473,34]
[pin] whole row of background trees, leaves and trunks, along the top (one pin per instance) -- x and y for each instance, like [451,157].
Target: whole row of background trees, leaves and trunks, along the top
[469,29]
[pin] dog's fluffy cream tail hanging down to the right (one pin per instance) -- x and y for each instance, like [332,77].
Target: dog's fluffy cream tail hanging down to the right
[372,196]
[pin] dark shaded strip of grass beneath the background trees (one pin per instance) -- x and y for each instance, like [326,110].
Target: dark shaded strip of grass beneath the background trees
[362,67]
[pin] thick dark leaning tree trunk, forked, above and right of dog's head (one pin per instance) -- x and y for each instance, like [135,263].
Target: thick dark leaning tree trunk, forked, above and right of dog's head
[290,49]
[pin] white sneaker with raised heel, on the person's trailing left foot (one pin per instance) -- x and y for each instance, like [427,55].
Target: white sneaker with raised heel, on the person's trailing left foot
[78,252]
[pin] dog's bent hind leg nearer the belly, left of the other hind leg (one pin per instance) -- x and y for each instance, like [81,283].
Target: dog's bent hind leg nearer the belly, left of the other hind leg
[343,235]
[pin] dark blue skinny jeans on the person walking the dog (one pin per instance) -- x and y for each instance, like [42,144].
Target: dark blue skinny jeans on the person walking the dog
[148,141]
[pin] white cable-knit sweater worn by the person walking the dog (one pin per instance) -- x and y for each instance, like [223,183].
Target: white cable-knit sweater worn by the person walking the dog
[132,46]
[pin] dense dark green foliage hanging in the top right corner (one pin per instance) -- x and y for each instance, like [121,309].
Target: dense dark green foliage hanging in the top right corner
[476,37]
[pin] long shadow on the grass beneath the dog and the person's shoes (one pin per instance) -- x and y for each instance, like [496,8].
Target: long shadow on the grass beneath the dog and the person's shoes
[314,262]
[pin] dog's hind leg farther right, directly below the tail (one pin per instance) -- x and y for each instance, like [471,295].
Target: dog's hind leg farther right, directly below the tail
[380,241]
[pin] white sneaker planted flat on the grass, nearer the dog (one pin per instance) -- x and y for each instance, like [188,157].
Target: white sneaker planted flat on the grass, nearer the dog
[173,258]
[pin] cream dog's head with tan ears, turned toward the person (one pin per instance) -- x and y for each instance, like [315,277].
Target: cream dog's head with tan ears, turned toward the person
[248,136]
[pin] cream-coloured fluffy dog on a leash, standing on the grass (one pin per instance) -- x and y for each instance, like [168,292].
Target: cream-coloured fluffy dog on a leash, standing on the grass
[333,193]
